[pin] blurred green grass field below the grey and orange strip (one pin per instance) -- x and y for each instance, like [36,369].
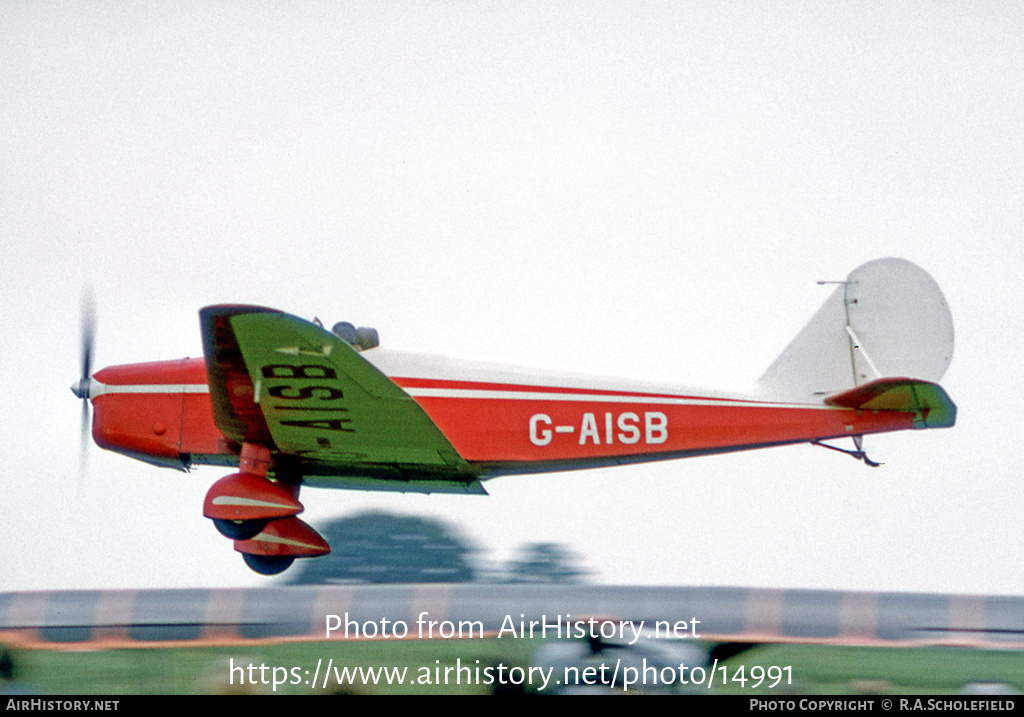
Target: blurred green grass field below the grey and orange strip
[816,670]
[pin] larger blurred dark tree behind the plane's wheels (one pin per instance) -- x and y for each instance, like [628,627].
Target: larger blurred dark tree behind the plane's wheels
[378,547]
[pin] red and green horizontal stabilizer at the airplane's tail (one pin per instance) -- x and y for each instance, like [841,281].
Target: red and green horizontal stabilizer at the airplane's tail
[929,402]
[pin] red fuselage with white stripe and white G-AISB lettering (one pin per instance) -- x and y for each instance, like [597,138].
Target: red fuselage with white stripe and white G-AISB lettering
[161,413]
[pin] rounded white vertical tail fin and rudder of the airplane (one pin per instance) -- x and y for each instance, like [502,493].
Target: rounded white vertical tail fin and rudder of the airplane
[889,319]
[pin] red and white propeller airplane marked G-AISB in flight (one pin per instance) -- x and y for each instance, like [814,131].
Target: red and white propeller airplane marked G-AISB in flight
[291,404]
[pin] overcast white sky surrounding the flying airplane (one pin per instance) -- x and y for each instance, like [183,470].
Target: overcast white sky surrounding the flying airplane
[643,190]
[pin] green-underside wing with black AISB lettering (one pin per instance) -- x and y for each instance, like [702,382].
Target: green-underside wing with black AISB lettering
[283,382]
